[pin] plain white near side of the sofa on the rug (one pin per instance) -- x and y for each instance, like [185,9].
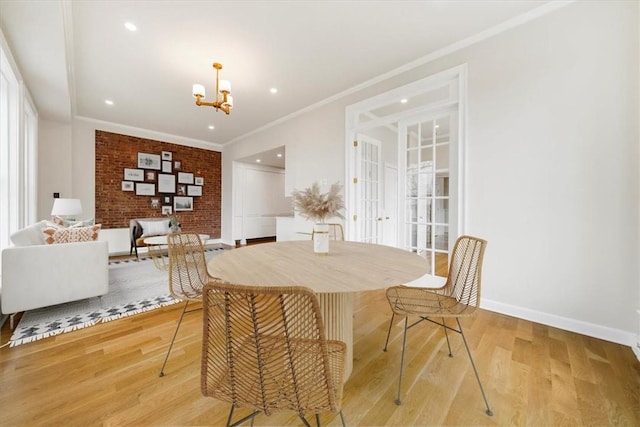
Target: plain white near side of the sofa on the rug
[44,275]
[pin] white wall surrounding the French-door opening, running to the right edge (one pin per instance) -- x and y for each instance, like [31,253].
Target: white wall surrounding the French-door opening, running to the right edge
[552,164]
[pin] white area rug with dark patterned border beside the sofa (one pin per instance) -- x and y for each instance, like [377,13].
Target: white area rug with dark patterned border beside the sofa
[134,287]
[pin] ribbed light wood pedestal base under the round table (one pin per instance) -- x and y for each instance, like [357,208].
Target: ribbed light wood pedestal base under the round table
[337,314]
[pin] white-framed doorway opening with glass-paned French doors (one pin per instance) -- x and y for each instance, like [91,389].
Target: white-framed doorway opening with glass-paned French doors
[404,157]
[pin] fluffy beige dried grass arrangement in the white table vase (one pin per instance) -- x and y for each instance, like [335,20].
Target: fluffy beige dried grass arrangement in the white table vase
[317,206]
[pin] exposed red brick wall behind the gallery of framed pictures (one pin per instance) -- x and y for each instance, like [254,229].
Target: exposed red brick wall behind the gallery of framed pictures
[114,207]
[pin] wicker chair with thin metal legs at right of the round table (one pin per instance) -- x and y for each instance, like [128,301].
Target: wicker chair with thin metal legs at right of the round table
[458,297]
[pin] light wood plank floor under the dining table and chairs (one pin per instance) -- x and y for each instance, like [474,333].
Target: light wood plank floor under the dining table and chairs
[533,375]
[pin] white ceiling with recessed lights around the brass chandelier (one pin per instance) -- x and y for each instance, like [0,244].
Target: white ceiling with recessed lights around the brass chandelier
[76,54]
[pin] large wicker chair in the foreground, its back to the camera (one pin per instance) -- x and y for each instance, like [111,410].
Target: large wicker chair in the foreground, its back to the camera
[265,348]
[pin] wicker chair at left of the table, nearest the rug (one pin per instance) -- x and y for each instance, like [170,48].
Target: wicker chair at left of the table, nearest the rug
[187,274]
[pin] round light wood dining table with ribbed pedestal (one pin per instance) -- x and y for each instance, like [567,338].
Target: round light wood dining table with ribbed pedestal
[348,267]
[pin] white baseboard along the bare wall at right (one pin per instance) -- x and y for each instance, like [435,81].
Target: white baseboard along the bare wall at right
[585,328]
